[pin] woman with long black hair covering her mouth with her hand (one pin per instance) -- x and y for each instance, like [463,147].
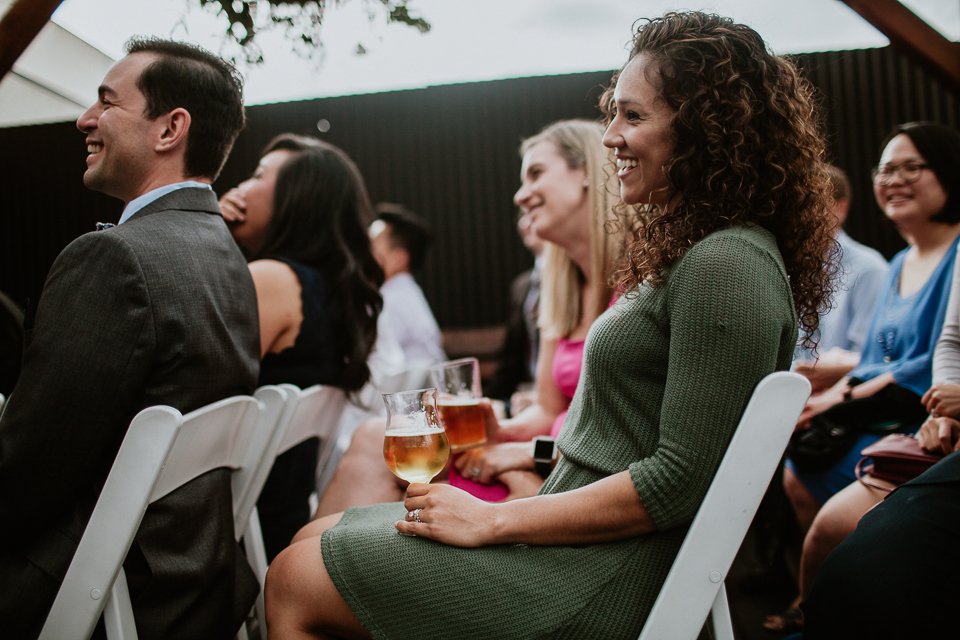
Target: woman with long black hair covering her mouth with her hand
[303,219]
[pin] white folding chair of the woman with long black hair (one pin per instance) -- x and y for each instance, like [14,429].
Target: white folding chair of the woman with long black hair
[313,412]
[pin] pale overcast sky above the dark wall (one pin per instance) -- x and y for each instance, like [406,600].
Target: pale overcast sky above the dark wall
[471,40]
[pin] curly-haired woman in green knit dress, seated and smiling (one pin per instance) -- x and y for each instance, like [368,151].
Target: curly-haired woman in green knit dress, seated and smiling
[713,275]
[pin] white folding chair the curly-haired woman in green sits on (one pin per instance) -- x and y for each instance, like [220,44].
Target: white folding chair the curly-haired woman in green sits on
[694,586]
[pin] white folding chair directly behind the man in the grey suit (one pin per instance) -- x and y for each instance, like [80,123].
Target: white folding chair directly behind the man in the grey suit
[161,451]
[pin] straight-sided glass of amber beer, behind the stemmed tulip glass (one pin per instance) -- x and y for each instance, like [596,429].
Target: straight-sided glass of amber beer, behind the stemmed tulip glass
[458,398]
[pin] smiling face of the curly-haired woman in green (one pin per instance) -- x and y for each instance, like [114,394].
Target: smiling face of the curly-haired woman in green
[640,134]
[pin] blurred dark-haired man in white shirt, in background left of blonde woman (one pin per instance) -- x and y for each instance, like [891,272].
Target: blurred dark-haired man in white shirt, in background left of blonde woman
[399,241]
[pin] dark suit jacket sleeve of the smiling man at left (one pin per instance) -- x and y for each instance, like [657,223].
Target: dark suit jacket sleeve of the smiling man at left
[85,360]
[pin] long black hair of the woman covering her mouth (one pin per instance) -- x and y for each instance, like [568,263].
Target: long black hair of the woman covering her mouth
[321,212]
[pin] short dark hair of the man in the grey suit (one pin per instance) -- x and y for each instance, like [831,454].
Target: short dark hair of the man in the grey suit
[210,89]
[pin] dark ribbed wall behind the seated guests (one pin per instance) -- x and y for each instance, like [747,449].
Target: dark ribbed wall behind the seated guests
[449,153]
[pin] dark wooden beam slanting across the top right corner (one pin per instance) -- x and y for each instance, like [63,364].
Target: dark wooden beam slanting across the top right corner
[915,38]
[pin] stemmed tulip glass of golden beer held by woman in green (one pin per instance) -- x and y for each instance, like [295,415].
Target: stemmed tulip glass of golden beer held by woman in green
[415,446]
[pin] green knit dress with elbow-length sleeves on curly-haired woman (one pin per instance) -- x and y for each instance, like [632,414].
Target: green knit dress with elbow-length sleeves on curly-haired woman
[667,373]
